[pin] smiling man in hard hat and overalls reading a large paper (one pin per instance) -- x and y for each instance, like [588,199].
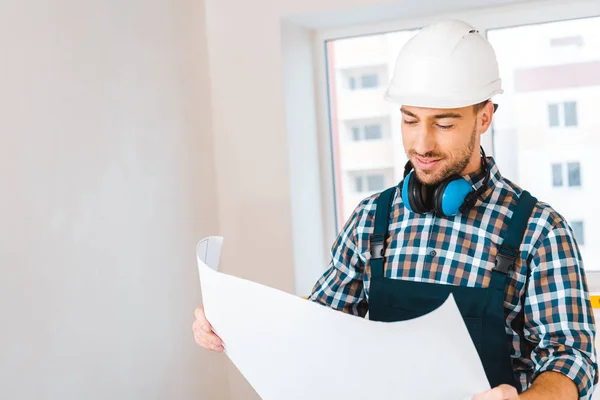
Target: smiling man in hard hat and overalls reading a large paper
[455,225]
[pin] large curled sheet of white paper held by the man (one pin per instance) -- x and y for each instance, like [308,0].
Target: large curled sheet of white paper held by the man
[289,348]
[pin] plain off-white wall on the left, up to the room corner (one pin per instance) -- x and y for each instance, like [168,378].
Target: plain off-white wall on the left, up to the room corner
[106,182]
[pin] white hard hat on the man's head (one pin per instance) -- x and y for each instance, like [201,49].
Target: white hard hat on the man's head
[446,65]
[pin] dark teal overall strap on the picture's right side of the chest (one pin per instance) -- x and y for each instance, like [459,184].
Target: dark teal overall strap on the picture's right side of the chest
[509,249]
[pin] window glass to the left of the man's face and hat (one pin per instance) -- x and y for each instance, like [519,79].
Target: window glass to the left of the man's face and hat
[371,60]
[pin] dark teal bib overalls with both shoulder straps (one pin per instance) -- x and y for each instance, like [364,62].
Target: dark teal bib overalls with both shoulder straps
[481,308]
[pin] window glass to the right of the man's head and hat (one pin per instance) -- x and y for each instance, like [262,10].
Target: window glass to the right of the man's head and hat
[542,66]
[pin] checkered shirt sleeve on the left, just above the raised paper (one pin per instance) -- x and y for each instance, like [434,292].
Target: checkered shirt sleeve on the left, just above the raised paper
[341,286]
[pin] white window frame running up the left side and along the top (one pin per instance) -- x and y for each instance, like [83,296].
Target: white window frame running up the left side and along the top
[486,18]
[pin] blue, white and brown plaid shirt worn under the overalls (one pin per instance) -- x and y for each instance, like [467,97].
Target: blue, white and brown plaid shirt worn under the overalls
[559,329]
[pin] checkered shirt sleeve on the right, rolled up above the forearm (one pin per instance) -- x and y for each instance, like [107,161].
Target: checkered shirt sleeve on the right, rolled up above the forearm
[559,318]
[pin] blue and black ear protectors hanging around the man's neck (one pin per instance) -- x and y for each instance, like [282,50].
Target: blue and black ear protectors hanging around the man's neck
[451,196]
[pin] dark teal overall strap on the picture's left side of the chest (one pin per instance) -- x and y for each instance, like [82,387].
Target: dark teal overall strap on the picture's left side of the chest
[383,205]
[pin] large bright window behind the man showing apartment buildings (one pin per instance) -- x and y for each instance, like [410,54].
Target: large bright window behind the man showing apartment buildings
[550,80]
